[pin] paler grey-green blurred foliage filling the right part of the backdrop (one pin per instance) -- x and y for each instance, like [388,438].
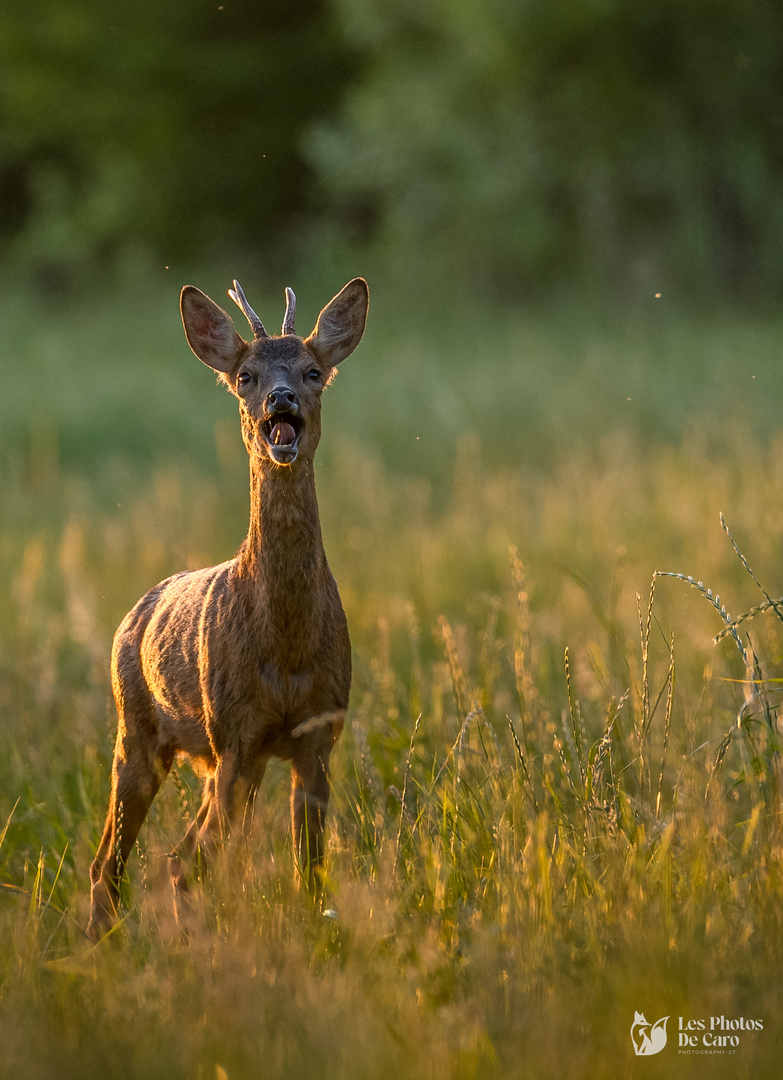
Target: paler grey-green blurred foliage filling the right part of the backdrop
[530,144]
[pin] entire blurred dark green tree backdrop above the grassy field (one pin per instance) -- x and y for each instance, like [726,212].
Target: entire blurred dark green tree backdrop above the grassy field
[495,144]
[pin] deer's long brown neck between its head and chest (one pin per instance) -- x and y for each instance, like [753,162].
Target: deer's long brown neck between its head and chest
[283,561]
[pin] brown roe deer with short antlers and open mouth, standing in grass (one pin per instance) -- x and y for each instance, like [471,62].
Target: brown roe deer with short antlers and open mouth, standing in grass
[249,659]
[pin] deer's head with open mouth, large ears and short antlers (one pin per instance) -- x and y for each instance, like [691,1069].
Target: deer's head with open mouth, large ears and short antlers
[278,380]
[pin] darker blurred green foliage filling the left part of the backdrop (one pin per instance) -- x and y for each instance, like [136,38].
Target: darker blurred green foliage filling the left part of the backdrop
[171,129]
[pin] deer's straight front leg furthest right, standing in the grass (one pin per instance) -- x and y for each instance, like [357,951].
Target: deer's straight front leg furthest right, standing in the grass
[309,802]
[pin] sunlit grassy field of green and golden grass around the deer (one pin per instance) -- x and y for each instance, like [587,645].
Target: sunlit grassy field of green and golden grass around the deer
[557,802]
